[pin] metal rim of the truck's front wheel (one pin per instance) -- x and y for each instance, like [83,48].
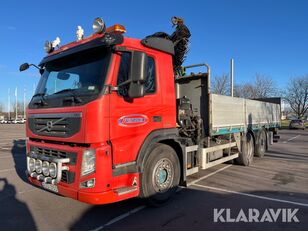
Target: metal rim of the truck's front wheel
[163,174]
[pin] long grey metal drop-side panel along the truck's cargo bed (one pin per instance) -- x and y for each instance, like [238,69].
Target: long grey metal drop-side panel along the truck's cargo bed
[232,114]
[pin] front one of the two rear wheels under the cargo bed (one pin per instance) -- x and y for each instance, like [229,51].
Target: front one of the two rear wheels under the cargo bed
[246,155]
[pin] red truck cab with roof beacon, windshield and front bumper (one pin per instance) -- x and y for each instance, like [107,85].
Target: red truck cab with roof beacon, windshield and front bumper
[89,117]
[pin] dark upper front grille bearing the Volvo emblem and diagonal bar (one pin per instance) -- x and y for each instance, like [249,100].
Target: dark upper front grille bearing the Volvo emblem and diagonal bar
[56,125]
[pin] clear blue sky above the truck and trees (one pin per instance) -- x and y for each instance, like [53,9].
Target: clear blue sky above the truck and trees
[269,37]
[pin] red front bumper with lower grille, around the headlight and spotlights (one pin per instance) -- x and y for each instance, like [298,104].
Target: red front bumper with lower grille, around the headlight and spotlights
[106,189]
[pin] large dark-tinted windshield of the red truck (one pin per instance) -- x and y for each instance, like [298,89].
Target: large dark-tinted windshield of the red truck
[82,73]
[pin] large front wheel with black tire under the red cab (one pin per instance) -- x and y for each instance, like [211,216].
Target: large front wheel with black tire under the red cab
[161,175]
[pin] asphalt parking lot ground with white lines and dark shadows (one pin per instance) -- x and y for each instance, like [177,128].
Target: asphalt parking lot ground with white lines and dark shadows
[277,182]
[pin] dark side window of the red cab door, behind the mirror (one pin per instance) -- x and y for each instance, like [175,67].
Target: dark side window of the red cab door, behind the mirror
[123,74]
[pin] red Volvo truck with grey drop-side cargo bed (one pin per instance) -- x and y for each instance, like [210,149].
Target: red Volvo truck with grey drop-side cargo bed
[110,120]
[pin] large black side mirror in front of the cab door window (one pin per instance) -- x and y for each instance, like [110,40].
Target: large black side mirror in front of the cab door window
[138,74]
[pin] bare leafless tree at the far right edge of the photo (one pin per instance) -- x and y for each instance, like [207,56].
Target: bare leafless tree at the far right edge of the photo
[297,95]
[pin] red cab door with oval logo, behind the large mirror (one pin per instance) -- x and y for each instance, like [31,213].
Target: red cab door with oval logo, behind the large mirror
[132,119]
